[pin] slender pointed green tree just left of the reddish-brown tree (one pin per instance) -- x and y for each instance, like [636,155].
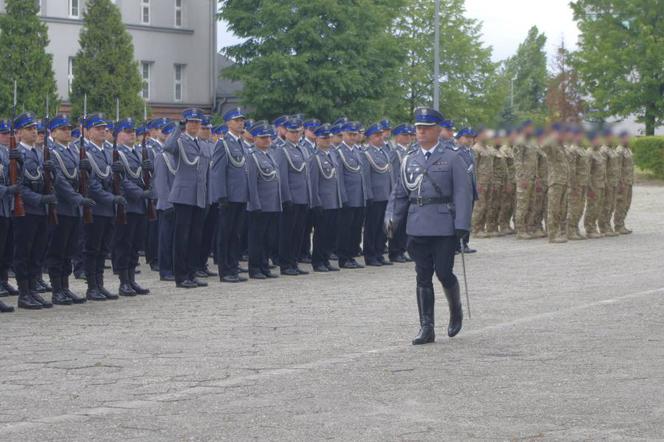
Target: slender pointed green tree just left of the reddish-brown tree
[527,69]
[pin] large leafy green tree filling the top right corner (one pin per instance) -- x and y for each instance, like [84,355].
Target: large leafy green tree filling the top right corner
[620,58]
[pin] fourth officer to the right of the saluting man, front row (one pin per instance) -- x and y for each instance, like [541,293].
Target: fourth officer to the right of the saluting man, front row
[327,196]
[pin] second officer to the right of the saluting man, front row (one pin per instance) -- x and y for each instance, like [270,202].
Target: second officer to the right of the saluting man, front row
[265,199]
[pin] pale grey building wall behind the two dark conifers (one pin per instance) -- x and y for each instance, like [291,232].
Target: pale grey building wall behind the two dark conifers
[160,42]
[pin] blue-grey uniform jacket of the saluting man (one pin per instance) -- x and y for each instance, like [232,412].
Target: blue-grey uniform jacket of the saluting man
[190,186]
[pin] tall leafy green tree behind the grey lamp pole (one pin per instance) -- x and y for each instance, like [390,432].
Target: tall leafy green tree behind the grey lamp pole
[471,91]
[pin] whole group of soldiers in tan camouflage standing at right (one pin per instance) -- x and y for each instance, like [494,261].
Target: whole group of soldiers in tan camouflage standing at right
[545,183]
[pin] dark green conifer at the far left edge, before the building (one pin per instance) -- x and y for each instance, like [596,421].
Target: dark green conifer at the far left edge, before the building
[23,41]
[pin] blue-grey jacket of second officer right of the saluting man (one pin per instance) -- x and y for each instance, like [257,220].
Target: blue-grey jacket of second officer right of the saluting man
[265,182]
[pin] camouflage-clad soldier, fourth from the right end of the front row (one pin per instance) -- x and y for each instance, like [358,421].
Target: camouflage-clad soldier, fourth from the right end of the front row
[579,159]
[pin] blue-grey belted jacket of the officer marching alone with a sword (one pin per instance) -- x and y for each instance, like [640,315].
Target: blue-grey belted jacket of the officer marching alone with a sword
[447,169]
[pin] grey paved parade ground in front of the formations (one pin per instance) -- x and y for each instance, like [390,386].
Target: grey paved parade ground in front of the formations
[566,342]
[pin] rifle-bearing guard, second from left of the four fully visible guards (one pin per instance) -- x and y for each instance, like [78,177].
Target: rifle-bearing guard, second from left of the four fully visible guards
[65,235]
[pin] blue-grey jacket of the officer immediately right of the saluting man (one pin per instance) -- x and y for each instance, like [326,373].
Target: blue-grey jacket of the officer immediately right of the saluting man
[228,171]
